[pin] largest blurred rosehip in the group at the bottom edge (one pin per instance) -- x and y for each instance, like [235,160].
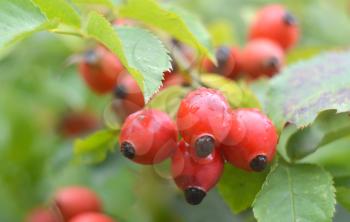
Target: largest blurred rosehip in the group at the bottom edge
[72,201]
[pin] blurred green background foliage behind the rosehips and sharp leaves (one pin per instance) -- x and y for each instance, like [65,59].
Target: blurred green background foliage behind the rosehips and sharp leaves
[37,87]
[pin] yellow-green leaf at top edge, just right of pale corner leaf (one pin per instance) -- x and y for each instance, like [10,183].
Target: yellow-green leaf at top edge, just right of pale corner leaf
[60,10]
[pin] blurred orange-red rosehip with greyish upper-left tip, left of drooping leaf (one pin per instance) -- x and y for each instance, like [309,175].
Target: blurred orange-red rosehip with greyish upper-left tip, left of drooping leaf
[100,70]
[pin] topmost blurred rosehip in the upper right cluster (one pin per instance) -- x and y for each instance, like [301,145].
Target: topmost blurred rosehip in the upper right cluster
[274,22]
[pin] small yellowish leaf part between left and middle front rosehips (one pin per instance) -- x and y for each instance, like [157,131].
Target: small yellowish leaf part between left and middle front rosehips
[168,100]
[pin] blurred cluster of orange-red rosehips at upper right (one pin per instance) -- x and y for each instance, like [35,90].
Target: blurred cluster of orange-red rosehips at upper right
[273,32]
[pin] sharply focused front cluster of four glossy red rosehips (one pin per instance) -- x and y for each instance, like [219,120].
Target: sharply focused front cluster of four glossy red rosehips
[211,133]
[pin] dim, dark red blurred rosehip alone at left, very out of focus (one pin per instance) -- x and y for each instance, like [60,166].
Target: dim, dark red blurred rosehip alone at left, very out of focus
[77,123]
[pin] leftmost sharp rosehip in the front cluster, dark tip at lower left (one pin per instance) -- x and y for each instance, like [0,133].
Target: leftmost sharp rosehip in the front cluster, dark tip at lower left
[148,137]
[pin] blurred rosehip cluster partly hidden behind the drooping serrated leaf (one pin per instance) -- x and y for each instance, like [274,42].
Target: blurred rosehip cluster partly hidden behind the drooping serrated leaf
[103,73]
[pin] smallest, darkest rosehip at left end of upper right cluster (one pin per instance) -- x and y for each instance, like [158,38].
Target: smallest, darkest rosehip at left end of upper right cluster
[225,62]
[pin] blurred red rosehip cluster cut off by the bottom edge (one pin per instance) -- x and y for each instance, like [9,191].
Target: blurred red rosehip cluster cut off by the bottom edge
[71,204]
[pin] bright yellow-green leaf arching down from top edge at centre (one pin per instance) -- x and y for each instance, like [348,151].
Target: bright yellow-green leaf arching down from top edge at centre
[175,21]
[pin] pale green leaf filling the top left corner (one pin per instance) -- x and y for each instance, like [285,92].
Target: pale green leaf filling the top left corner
[20,18]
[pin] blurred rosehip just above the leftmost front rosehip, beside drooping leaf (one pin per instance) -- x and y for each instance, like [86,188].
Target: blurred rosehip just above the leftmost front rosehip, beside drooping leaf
[129,95]
